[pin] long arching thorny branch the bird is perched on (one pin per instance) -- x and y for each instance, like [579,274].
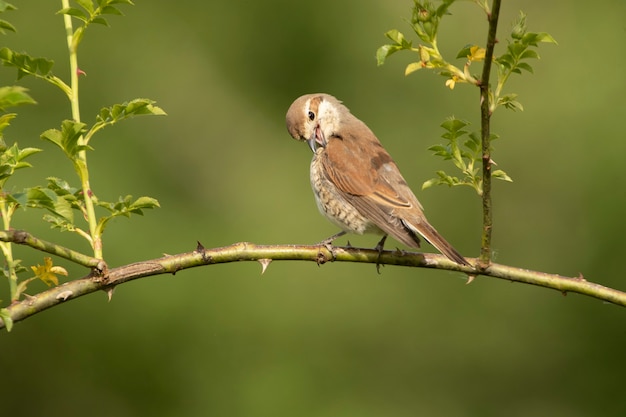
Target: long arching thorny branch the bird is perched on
[265,254]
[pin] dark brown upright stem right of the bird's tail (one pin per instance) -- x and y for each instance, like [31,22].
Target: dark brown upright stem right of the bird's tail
[485,118]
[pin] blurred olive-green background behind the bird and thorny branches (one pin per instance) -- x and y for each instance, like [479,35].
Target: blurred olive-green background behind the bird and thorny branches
[336,340]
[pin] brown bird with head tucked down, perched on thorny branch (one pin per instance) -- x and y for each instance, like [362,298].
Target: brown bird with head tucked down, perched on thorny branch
[357,185]
